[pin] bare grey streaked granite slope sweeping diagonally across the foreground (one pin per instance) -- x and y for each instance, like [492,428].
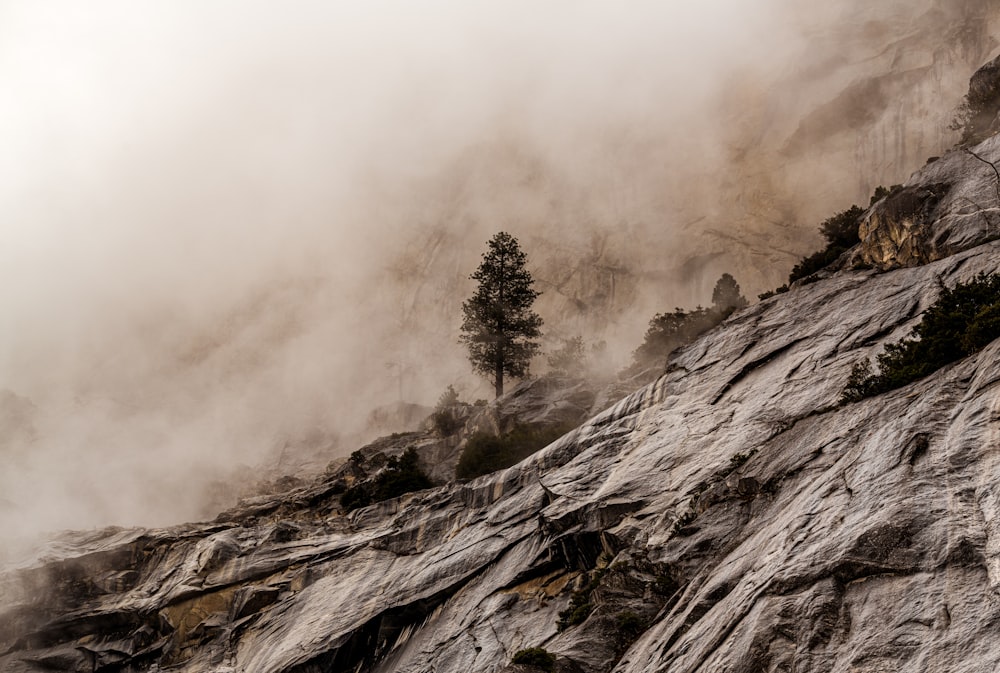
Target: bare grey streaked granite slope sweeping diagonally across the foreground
[728,517]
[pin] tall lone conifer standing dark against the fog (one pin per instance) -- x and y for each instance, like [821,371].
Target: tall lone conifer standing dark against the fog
[499,326]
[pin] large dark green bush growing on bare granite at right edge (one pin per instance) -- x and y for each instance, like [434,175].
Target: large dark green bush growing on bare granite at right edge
[961,322]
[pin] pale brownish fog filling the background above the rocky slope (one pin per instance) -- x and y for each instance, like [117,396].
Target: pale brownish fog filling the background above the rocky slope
[231,230]
